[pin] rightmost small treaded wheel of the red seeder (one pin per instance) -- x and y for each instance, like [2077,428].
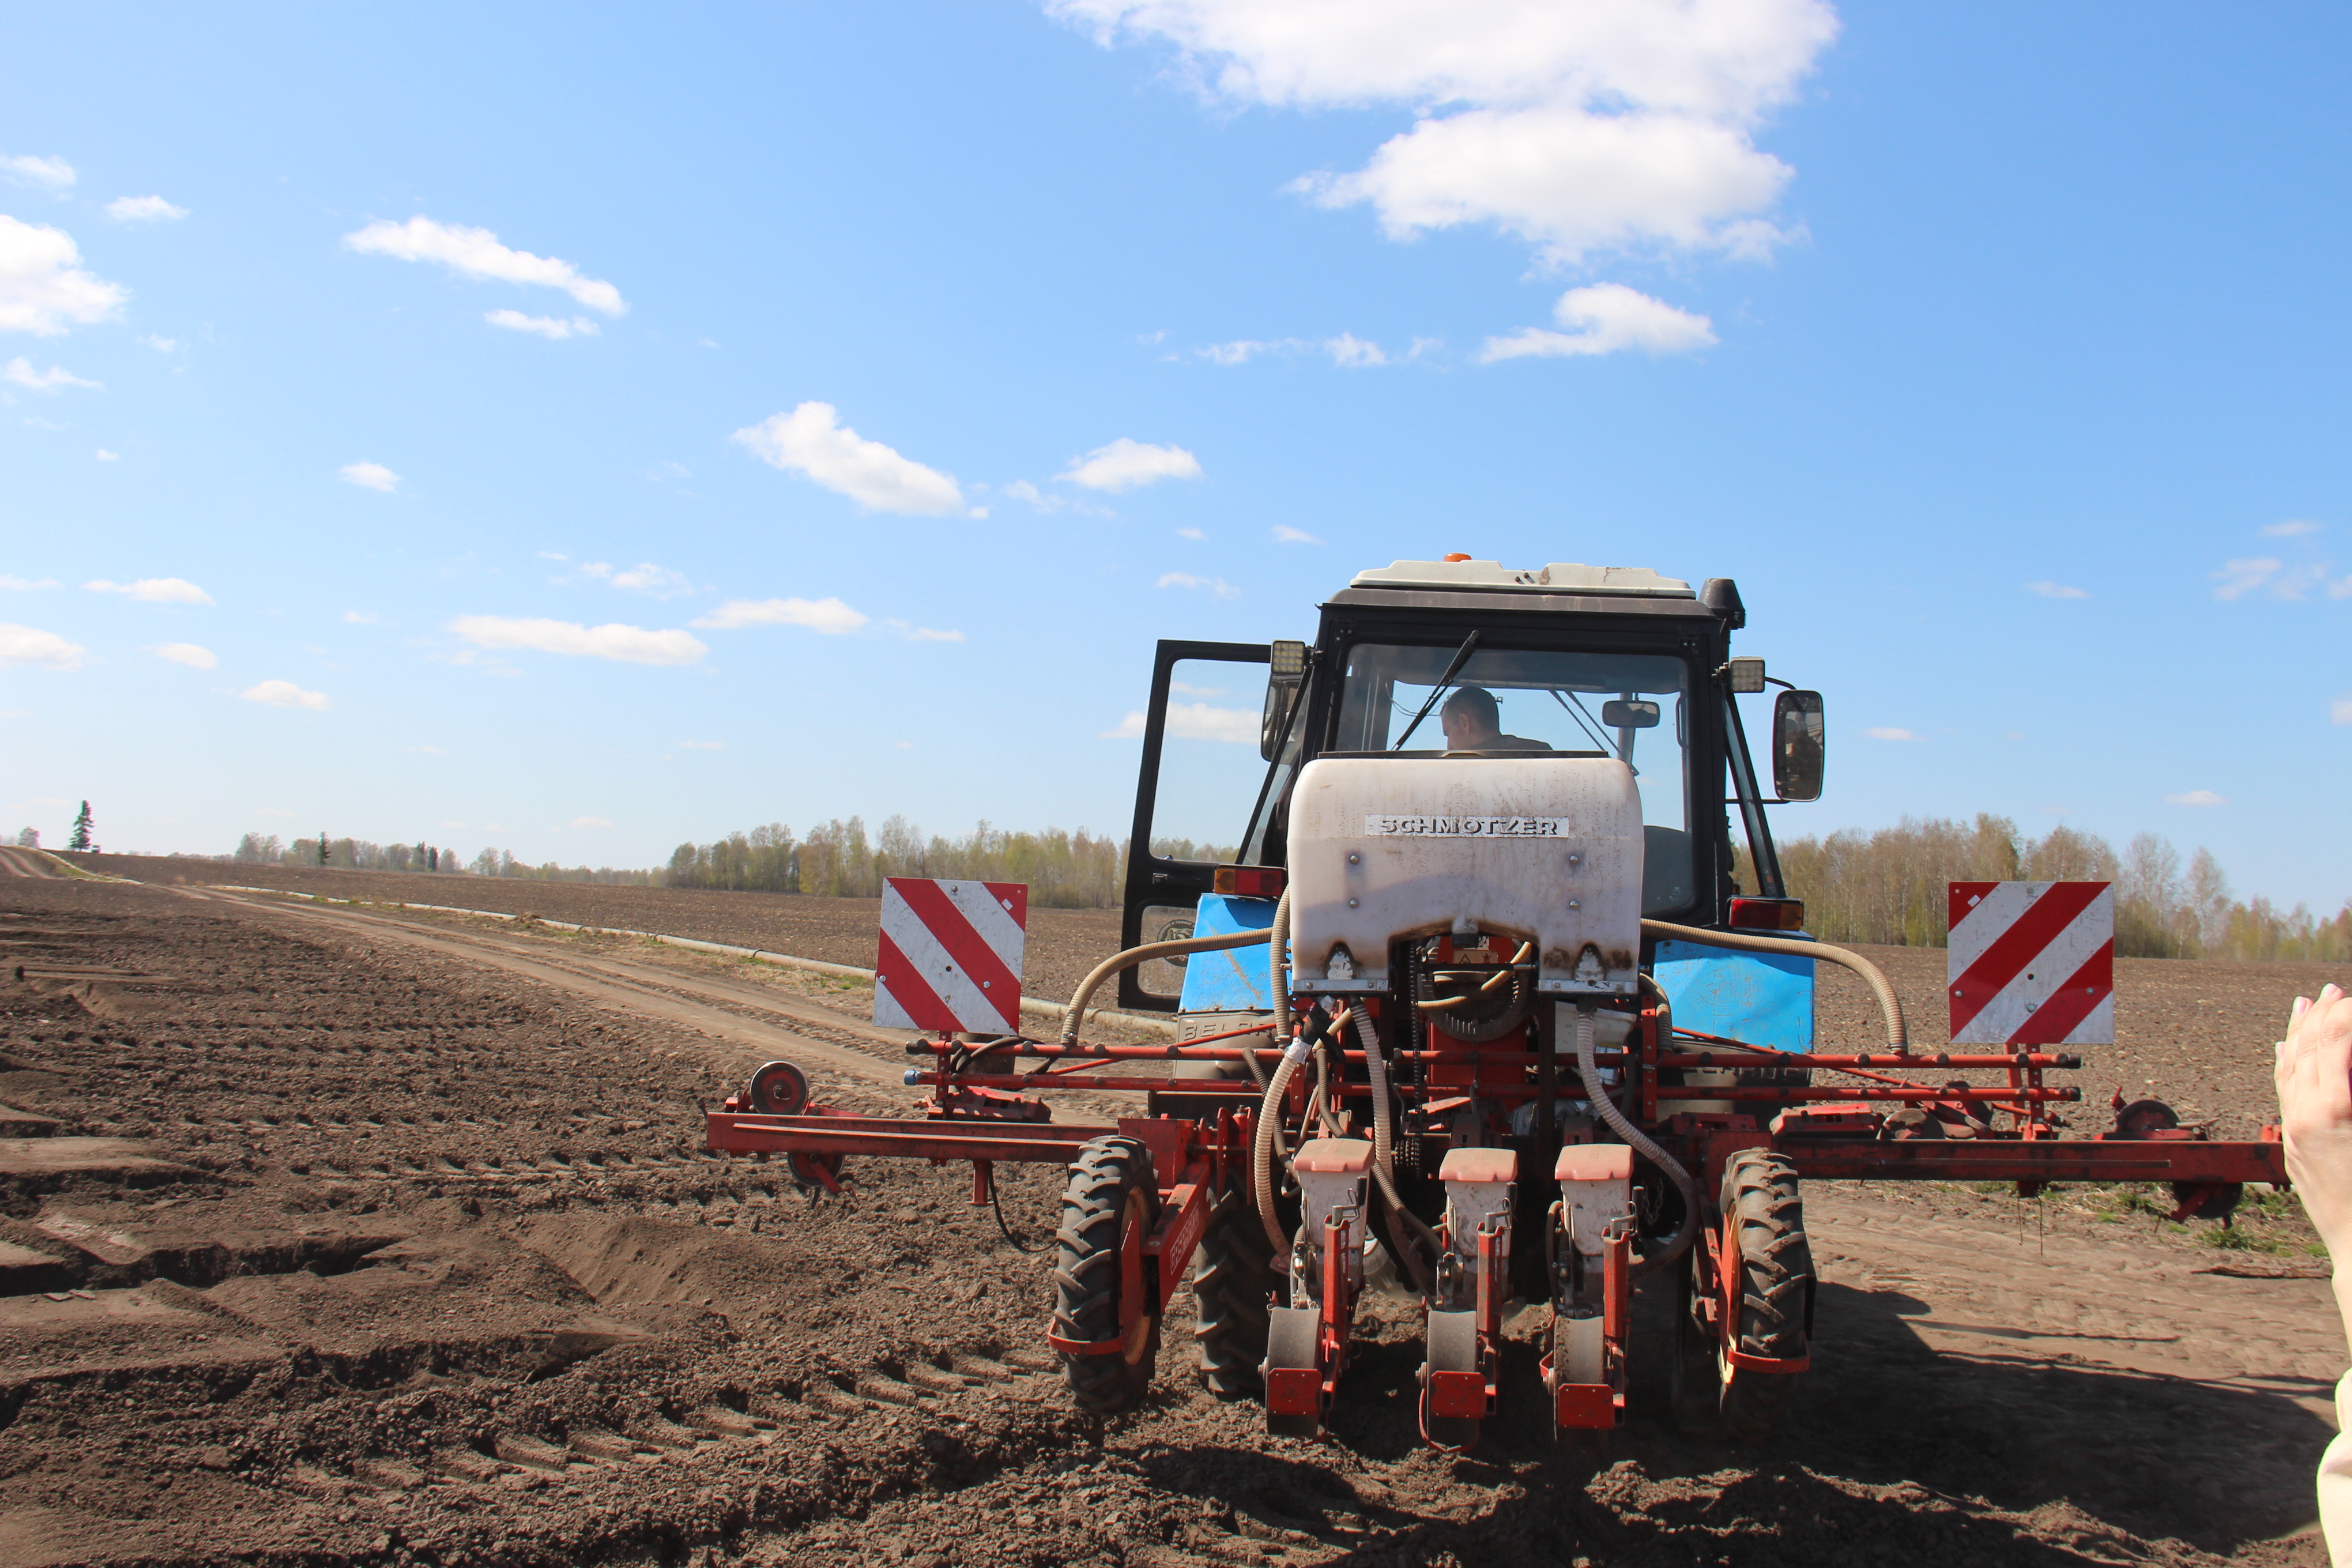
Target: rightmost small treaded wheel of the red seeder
[1775,1280]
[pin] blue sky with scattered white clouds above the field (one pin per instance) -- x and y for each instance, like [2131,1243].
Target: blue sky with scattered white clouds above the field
[432,384]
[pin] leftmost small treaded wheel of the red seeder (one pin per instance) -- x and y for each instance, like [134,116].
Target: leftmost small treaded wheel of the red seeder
[1111,1193]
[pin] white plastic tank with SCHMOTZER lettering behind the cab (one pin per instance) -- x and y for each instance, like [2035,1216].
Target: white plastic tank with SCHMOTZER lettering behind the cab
[1532,847]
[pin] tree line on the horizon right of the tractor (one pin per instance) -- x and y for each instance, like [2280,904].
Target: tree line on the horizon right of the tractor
[1890,887]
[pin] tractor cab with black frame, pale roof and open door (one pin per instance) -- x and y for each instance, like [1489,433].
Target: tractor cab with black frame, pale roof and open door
[1462,662]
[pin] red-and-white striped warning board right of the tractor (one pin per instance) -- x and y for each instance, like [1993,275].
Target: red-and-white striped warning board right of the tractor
[2033,963]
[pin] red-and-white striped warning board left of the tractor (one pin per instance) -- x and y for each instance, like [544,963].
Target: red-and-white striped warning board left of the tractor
[951,956]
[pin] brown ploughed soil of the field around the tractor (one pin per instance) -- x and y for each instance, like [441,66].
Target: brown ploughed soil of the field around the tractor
[335,1238]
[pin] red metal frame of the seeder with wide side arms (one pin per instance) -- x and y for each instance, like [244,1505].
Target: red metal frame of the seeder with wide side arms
[1829,1132]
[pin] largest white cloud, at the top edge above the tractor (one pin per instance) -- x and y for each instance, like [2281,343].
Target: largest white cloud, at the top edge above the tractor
[1572,126]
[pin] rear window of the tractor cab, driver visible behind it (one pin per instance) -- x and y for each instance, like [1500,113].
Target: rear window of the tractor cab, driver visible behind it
[1626,706]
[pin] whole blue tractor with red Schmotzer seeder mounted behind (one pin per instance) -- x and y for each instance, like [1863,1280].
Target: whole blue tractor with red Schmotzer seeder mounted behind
[1506,1040]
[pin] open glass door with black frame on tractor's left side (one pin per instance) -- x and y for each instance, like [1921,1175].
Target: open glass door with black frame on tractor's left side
[1201,779]
